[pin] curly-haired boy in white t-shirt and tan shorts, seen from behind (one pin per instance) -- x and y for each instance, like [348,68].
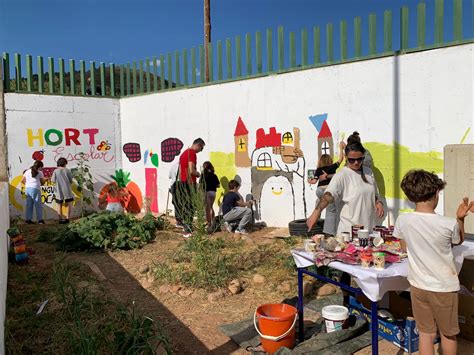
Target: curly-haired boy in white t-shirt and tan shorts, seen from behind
[428,239]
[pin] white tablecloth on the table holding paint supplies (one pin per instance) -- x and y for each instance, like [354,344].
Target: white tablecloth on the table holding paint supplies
[375,283]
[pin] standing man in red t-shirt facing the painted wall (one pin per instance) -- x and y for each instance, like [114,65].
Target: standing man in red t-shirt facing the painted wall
[187,191]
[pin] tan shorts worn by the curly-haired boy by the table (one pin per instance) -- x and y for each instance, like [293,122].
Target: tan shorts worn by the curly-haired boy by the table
[435,310]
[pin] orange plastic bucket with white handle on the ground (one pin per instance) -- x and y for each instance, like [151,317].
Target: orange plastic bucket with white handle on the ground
[276,326]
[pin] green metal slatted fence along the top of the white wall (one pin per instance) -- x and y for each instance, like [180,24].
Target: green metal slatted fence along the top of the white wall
[244,57]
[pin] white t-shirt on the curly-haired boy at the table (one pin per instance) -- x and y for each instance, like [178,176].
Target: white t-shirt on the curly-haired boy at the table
[430,255]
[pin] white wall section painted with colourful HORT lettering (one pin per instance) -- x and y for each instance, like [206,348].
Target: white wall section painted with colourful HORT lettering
[86,121]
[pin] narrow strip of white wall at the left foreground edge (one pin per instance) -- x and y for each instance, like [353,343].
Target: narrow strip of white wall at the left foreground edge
[4,225]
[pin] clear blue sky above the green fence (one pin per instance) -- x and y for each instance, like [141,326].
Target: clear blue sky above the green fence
[121,31]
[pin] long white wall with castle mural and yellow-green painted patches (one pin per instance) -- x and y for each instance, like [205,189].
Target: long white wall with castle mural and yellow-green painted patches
[409,106]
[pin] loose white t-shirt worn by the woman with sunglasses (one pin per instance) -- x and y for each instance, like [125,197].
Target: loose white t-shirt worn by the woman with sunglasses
[354,198]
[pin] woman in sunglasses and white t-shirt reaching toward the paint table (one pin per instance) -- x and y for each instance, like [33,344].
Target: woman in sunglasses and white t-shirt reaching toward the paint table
[354,191]
